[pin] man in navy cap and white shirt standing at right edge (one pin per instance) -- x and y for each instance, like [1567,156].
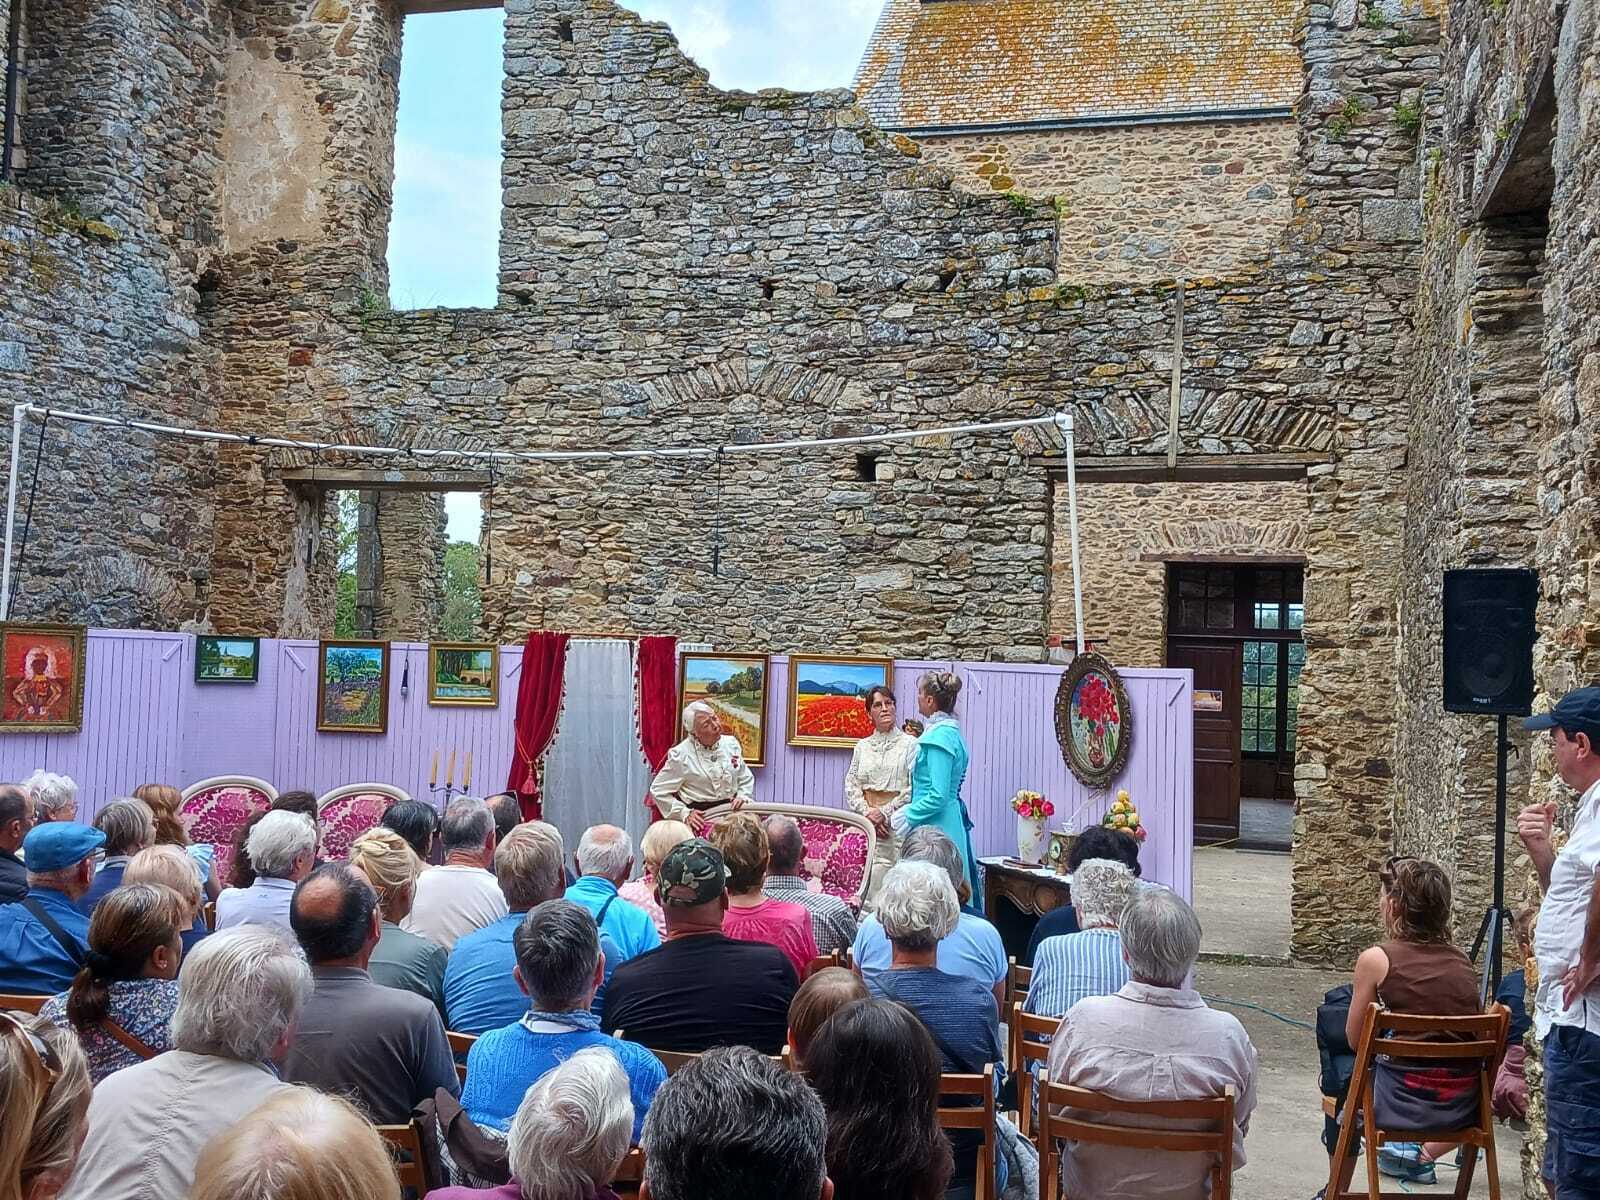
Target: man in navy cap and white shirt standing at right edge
[1567,946]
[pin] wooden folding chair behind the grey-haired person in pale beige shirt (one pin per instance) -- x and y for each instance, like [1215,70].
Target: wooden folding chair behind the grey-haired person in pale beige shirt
[1057,1126]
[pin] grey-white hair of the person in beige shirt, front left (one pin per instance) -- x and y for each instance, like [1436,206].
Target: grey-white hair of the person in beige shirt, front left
[241,991]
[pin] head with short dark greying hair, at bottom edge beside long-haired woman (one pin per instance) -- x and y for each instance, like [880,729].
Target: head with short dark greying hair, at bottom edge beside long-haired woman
[735,1126]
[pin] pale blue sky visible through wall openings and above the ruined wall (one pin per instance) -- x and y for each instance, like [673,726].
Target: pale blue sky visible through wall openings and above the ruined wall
[444,241]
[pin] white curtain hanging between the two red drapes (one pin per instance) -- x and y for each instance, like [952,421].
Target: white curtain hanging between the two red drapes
[594,772]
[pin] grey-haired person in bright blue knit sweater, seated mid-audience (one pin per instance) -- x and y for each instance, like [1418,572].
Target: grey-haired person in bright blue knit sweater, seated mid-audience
[559,966]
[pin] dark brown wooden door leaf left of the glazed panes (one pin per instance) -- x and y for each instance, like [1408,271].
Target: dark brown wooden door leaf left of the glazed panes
[1218,668]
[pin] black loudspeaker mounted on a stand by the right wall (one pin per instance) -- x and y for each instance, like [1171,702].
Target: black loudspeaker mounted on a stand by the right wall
[1489,641]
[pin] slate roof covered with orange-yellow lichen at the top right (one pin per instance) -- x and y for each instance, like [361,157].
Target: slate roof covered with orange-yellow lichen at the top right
[991,62]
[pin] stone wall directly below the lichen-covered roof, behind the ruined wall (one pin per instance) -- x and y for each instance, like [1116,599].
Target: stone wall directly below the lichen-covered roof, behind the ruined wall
[1143,202]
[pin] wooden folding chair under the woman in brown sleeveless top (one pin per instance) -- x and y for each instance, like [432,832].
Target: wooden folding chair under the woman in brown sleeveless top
[1474,1044]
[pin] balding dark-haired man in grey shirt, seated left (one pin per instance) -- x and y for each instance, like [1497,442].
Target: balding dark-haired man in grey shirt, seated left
[380,1047]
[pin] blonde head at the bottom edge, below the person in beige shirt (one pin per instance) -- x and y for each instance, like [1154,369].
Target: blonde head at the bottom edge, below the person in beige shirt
[298,1146]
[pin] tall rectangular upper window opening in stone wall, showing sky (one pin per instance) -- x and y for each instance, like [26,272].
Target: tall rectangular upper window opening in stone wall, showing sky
[444,238]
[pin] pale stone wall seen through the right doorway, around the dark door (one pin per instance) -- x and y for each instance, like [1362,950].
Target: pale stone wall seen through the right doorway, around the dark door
[1129,534]
